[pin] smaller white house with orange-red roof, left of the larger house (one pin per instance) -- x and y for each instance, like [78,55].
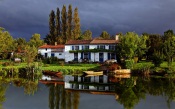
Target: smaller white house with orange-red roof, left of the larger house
[52,51]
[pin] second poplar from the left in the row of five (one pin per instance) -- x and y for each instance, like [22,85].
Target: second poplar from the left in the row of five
[57,25]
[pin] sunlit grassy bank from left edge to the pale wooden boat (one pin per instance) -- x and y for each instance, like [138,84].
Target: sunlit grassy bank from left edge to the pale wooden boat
[64,68]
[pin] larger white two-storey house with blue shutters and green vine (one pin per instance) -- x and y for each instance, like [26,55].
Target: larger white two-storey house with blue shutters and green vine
[95,50]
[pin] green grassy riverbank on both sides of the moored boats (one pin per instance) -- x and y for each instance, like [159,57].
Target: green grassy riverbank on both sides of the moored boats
[141,67]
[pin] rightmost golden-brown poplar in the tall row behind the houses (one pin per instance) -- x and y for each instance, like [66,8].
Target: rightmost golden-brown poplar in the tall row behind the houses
[76,24]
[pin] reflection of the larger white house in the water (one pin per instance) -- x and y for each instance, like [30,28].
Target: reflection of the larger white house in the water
[93,83]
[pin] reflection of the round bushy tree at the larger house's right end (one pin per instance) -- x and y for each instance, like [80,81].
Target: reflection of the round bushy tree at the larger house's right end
[129,94]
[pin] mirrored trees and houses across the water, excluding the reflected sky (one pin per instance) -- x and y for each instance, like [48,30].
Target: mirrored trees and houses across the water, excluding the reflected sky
[67,95]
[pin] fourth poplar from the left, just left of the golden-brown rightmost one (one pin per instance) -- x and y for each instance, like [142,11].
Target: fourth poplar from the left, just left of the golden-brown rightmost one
[69,23]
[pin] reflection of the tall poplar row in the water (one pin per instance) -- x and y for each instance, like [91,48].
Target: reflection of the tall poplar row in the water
[59,98]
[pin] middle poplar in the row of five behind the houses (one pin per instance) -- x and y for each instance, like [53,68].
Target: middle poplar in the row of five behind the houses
[64,23]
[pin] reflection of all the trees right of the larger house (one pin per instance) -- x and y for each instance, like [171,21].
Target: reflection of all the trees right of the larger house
[129,95]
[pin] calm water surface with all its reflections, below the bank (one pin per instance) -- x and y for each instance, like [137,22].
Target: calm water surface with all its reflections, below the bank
[93,92]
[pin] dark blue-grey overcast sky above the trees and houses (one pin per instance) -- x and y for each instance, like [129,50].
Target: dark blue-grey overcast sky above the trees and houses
[22,18]
